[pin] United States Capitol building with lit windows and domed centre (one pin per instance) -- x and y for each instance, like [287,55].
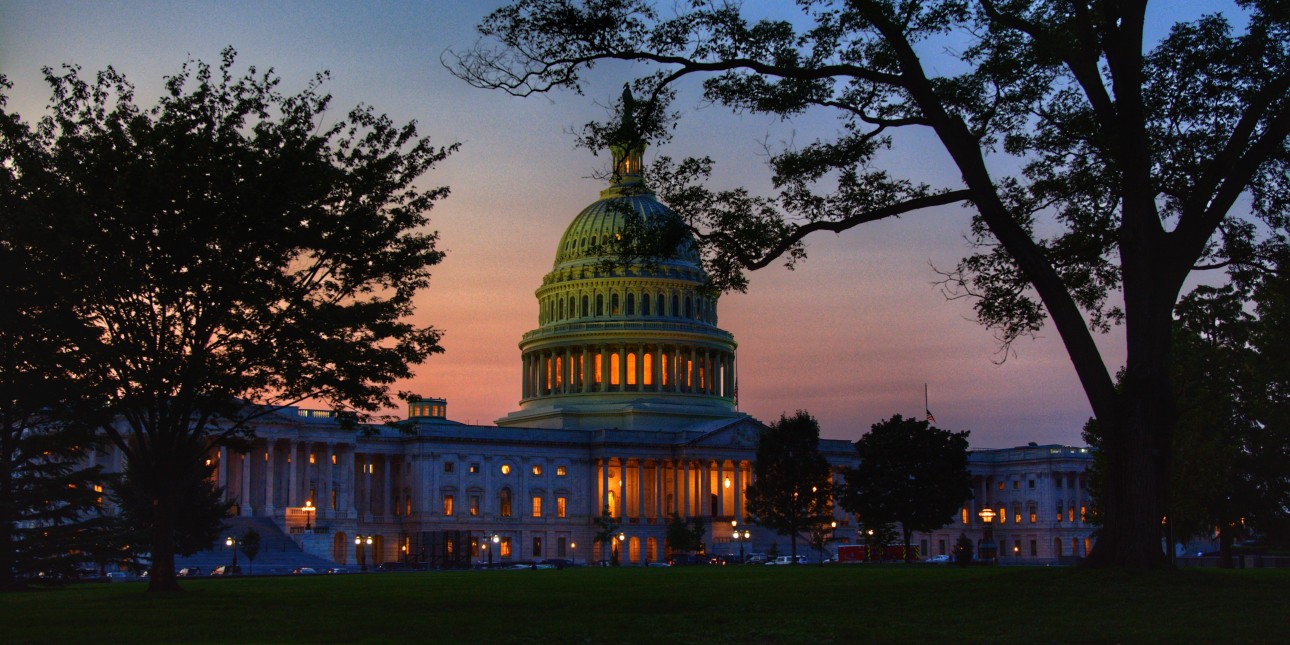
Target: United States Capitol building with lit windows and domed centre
[628,410]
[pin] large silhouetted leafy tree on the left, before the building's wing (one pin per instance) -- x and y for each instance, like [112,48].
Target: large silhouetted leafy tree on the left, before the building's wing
[235,250]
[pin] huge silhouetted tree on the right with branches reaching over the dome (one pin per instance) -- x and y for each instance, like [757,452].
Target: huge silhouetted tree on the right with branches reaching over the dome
[1133,158]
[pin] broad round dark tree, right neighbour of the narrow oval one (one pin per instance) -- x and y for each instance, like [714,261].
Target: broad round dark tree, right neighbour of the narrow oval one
[910,473]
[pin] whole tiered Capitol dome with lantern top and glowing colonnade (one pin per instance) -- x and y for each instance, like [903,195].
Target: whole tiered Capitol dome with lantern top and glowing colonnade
[626,342]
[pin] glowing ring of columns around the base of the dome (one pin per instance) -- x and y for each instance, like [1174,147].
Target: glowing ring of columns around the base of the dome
[606,368]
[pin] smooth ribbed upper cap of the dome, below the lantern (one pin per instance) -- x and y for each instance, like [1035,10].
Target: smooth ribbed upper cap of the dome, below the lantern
[613,216]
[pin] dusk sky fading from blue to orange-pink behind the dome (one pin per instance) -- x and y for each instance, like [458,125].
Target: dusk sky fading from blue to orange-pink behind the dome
[852,336]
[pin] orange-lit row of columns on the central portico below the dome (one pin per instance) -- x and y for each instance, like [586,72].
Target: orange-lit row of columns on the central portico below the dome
[660,488]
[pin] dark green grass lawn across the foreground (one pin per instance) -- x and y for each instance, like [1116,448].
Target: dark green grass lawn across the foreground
[732,604]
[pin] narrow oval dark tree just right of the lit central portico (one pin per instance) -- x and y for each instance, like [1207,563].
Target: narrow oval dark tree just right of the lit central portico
[793,483]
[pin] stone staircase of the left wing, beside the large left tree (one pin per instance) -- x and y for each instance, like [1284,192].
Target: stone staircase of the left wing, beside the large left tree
[278,554]
